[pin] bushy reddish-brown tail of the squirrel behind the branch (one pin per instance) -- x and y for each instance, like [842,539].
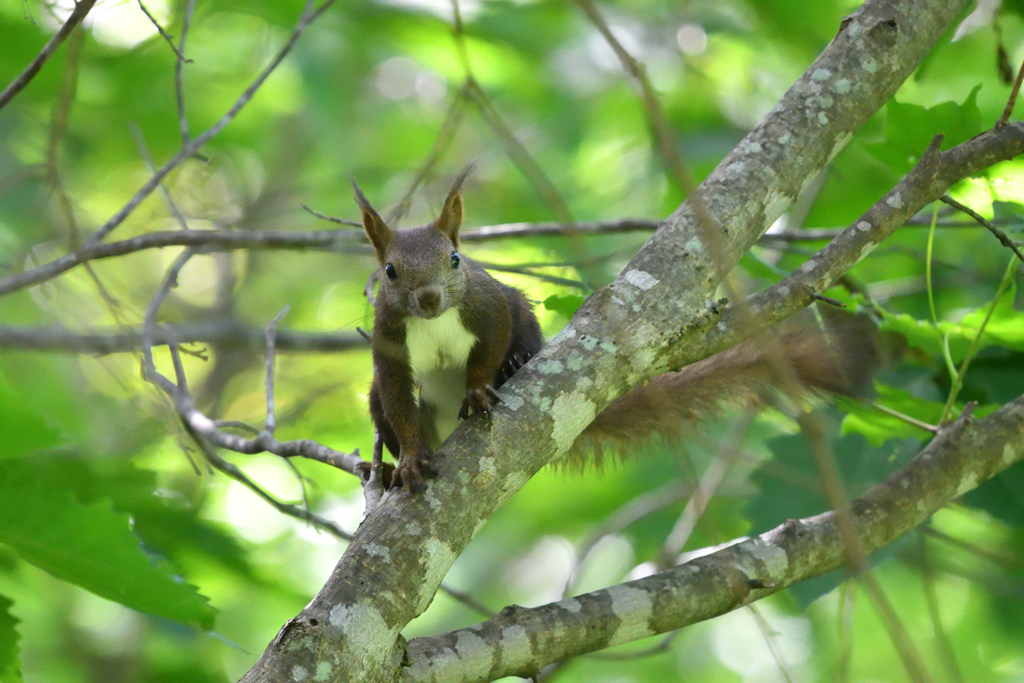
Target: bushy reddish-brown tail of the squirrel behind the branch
[839,357]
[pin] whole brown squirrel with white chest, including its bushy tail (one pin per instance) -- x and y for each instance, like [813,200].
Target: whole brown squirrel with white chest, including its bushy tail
[447,335]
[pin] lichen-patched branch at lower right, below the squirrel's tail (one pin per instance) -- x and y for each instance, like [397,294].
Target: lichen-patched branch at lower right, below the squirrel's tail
[519,642]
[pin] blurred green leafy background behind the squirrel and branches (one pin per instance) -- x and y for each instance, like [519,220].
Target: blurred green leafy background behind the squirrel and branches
[93,458]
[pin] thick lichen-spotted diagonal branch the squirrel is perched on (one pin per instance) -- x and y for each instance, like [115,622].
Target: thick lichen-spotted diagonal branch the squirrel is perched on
[644,324]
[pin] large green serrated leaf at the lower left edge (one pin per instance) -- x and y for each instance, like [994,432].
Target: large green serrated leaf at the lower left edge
[91,546]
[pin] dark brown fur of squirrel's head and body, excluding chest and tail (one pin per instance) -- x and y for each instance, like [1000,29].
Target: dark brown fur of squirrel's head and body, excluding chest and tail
[426,283]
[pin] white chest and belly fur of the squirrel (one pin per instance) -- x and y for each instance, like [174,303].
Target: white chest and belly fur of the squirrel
[439,352]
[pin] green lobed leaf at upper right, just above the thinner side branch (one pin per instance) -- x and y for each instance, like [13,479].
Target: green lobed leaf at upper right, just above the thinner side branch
[910,130]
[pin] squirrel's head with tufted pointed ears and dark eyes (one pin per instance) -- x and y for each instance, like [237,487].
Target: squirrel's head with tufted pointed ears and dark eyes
[423,272]
